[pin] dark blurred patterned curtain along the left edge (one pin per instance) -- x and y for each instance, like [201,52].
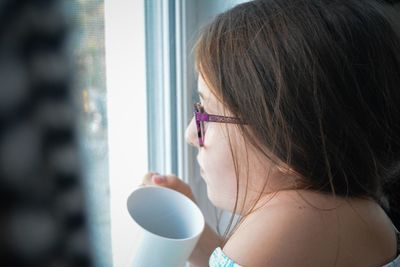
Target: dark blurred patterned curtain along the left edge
[42,209]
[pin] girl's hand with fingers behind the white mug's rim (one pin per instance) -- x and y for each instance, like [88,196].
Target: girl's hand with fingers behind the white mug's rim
[169,181]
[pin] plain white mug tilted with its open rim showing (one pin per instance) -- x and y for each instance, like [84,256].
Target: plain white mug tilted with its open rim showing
[170,226]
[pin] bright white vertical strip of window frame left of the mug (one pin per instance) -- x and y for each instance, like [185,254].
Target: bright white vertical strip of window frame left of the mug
[127,120]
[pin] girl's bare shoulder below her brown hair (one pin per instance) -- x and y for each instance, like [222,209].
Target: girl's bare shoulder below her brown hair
[313,230]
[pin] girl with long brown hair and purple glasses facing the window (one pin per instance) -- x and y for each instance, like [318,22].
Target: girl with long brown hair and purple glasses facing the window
[298,131]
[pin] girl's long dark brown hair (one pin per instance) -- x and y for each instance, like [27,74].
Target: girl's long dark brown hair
[318,82]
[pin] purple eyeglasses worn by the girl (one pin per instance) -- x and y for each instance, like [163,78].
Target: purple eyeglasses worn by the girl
[202,117]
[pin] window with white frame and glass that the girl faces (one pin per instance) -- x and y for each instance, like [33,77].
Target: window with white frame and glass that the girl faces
[137,89]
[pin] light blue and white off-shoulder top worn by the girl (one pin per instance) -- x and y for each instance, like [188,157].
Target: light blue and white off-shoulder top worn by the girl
[219,259]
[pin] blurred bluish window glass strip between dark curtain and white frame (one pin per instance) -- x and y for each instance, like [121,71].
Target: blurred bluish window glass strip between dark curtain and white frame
[89,59]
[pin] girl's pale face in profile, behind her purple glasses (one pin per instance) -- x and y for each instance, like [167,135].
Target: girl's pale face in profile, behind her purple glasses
[216,162]
